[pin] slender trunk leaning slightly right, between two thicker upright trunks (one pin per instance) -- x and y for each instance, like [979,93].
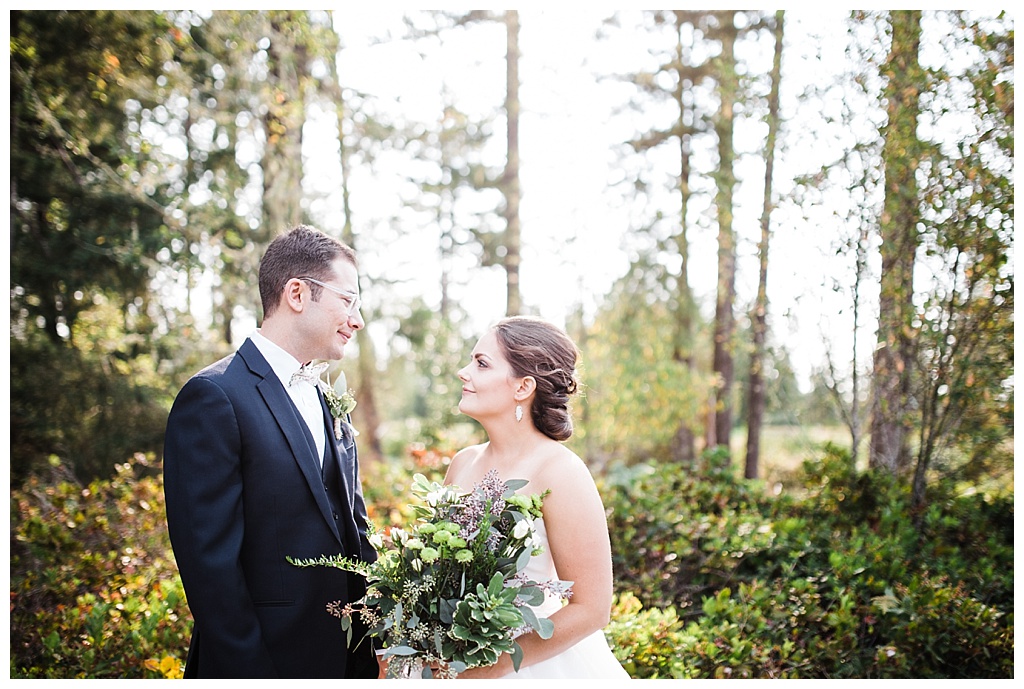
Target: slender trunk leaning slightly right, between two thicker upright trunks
[756,408]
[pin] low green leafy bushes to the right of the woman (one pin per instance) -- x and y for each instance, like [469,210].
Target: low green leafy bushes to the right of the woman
[719,580]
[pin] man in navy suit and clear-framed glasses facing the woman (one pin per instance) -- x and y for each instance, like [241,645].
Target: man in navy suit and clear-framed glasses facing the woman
[255,472]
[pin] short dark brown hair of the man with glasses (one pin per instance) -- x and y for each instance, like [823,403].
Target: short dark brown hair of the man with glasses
[304,251]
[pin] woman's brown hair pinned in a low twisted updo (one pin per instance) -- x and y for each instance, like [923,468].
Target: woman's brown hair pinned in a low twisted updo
[535,348]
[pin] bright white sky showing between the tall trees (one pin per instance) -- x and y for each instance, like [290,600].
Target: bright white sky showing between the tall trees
[575,231]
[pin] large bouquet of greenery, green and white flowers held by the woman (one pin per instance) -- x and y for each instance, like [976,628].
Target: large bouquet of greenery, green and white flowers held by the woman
[451,593]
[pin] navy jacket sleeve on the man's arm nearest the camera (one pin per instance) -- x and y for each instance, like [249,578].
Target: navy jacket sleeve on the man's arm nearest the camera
[203,489]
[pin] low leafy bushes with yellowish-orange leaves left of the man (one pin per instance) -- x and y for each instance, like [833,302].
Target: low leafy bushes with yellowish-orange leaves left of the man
[95,590]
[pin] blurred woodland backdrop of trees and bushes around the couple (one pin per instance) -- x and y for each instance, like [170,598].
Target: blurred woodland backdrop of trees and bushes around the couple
[864,530]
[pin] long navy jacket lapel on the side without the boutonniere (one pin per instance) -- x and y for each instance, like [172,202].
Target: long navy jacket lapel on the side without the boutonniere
[292,427]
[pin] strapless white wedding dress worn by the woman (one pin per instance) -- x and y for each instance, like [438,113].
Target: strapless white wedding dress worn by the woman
[590,659]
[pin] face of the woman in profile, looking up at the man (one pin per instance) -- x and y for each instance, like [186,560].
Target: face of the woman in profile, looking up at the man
[488,383]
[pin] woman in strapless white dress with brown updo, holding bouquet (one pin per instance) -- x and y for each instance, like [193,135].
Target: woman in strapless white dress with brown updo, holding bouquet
[518,386]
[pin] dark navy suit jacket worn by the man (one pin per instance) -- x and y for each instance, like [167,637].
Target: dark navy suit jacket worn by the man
[244,492]
